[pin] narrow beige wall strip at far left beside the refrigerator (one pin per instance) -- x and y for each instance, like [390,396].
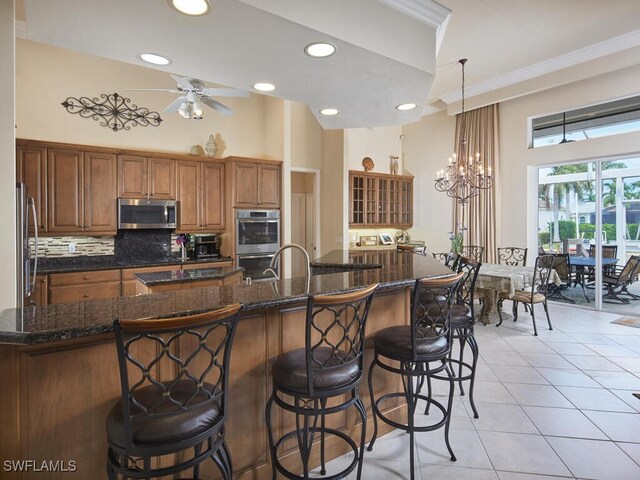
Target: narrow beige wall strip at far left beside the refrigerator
[7,156]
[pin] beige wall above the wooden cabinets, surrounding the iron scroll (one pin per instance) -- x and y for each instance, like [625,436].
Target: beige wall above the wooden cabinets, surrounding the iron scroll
[47,75]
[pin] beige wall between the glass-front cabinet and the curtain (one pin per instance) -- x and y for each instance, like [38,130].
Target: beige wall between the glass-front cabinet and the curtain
[427,146]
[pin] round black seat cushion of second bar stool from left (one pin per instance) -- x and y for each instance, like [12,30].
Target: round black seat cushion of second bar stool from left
[290,371]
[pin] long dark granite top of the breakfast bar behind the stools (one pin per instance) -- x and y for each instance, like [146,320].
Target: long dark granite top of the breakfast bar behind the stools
[50,323]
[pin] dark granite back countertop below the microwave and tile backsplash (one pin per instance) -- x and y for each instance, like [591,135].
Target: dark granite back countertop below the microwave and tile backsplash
[83,263]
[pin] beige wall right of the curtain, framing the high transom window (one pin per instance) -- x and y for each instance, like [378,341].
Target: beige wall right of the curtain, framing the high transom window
[516,157]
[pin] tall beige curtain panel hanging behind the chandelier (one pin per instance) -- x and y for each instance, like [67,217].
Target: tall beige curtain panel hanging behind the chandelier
[479,216]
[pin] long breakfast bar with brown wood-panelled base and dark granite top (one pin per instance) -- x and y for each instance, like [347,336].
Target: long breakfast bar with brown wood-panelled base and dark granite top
[60,374]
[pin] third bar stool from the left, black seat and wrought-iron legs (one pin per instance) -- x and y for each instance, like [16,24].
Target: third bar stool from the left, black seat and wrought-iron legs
[425,340]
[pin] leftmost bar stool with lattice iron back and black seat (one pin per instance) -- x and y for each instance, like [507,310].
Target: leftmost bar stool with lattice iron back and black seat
[174,413]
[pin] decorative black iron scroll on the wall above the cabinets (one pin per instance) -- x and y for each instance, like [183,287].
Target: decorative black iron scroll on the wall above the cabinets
[113,111]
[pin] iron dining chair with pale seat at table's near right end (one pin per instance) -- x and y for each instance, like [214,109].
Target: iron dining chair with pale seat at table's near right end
[536,292]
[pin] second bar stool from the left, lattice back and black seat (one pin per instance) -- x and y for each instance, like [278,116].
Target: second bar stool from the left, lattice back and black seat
[329,365]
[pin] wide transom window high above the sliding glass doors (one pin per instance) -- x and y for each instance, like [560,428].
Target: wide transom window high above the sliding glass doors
[611,118]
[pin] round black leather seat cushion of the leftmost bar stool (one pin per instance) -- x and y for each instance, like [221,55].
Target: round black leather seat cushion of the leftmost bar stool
[170,424]
